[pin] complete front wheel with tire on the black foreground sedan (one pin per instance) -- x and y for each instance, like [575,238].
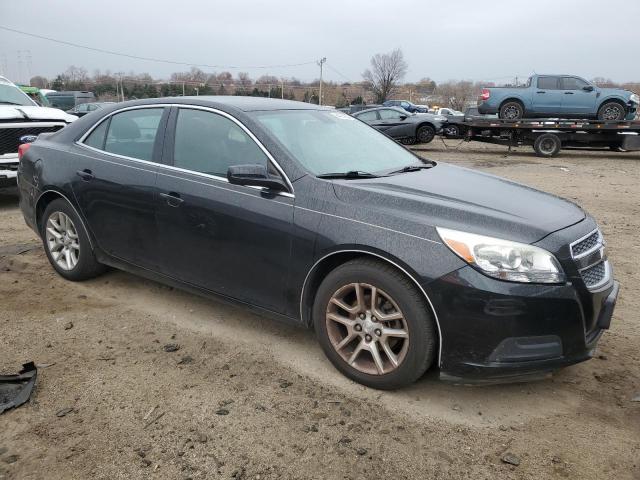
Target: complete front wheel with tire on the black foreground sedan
[395,293]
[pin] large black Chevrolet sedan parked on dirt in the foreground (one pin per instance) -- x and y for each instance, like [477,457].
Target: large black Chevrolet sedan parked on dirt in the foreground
[307,215]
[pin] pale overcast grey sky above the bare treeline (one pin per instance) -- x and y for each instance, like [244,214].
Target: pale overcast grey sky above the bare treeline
[443,40]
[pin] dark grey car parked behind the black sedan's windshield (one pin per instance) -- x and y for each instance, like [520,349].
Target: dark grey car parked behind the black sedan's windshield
[407,128]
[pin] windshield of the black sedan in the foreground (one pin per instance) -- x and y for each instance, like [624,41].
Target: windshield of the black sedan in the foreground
[328,142]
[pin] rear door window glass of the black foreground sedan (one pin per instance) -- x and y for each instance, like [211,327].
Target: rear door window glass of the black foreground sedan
[133,133]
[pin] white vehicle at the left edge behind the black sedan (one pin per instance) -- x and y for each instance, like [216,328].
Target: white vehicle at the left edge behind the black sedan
[20,116]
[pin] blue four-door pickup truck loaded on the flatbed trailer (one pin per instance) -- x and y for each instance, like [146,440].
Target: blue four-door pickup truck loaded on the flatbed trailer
[563,96]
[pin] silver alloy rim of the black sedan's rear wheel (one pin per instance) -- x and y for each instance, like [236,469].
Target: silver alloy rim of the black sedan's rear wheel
[62,240]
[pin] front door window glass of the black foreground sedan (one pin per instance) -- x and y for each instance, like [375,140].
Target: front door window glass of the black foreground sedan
[210,143]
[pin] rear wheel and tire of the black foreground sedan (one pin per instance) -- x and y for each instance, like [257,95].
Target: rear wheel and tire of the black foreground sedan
[66,243]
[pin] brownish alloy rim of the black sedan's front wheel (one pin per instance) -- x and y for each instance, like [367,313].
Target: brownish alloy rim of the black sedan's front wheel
[367,328]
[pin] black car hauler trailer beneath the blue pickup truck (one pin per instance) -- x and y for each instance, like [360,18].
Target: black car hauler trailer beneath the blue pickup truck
[549,136]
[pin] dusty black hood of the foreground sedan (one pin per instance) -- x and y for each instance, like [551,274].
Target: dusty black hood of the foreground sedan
[462,199]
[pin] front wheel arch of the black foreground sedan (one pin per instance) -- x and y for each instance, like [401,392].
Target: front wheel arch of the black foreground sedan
[331,260]
